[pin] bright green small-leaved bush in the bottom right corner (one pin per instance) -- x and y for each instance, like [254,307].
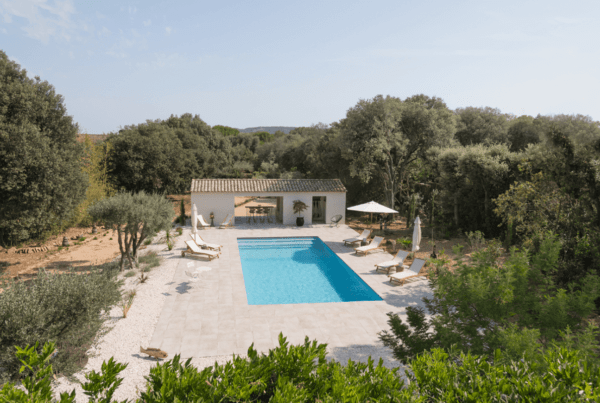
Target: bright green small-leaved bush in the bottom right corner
[564,375]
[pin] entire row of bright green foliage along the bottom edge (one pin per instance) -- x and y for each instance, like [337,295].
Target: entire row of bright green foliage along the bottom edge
[303,374]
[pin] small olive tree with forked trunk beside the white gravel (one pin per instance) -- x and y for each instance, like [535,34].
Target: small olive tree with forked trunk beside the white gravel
[134,216]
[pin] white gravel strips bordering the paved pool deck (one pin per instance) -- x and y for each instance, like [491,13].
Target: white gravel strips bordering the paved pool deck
[125,336]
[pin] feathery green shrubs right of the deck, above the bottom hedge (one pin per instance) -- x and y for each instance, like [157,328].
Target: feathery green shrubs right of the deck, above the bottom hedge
[515,307]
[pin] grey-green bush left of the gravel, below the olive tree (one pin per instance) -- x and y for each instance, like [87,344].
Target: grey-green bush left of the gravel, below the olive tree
[63,308]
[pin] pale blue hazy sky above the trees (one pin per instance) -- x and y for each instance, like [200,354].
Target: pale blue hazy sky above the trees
[296,63]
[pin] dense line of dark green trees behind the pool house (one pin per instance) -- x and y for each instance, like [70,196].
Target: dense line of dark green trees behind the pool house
[476,169]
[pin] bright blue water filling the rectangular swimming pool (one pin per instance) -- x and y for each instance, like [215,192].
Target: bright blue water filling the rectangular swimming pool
[298,270]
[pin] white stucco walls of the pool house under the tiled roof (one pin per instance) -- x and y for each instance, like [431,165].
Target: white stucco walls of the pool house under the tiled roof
[222,204]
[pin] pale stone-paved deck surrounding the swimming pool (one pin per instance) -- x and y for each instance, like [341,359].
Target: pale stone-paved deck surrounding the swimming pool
[211,317]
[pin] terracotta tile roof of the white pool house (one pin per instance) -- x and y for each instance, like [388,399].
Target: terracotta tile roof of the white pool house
[266,185]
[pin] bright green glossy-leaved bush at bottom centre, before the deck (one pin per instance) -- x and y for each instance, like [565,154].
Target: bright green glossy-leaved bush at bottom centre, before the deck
[286,374]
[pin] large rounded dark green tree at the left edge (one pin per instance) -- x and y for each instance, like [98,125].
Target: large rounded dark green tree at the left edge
[41,180]
